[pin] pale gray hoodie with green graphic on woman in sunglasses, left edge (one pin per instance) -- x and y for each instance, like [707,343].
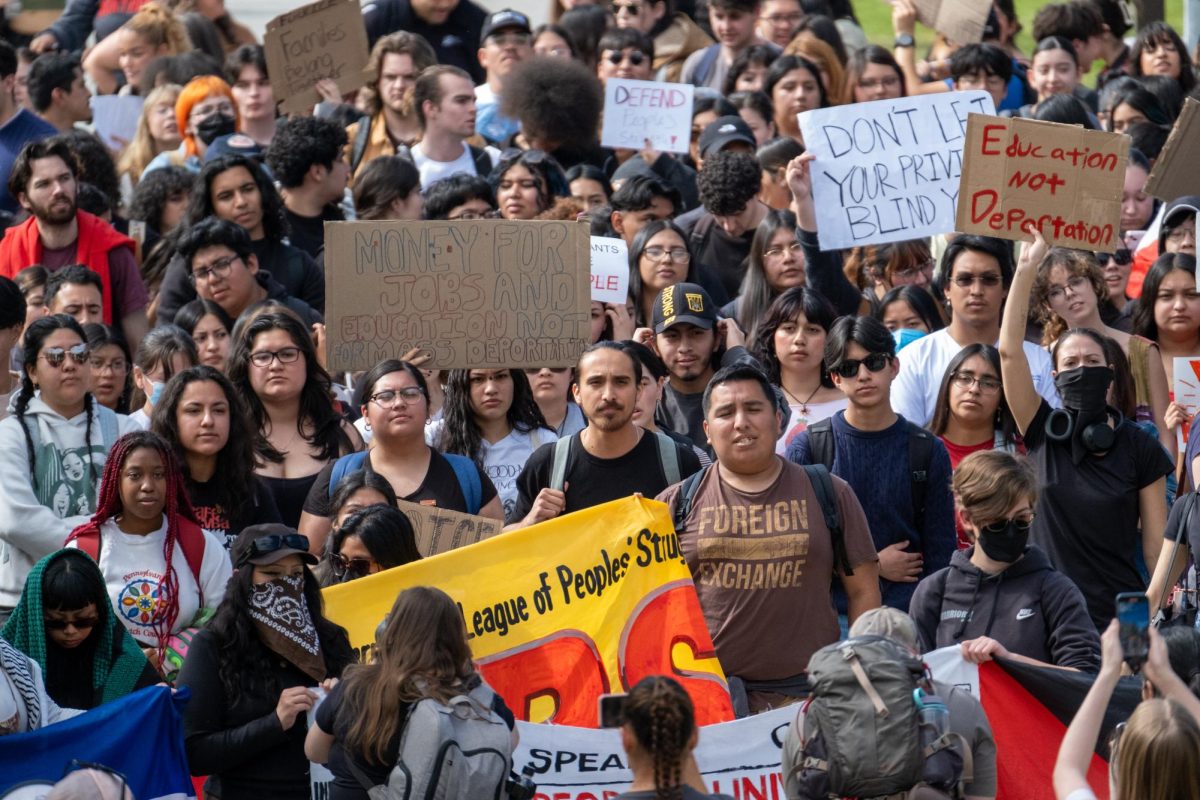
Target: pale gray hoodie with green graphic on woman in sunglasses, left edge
[39,512]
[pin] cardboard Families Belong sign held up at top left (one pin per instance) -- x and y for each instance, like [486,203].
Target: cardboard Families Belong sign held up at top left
[327,39]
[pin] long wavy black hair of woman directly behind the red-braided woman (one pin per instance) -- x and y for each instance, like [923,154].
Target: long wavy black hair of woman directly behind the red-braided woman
[235,485]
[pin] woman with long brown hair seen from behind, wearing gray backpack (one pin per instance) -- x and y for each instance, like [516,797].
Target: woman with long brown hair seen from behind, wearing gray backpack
[423,652]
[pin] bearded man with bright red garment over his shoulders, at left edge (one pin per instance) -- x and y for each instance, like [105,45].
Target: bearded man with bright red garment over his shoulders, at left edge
[57,234]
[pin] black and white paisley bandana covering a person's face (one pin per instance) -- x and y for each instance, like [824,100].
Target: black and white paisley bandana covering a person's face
[281,616]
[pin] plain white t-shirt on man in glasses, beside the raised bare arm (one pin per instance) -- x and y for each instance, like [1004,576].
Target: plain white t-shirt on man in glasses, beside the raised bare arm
[923,364]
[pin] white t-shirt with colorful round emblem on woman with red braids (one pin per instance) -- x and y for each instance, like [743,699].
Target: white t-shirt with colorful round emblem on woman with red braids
[134,568]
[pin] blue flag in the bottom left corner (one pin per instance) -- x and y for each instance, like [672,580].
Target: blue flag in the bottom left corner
[140,736]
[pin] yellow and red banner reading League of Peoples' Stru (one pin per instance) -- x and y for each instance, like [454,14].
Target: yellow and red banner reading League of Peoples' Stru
[566,611]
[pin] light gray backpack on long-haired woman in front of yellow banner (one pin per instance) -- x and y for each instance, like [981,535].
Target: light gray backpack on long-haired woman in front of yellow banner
[451,751]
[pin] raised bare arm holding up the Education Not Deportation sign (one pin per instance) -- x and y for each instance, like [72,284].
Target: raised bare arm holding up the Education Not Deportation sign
[1023,399]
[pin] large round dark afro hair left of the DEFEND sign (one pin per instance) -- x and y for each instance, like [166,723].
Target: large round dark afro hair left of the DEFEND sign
[557,103]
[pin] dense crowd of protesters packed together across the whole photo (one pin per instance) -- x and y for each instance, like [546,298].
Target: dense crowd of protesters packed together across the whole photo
[979,436]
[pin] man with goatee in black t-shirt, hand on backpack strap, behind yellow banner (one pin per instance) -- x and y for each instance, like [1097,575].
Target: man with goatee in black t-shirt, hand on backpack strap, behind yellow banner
[613,458]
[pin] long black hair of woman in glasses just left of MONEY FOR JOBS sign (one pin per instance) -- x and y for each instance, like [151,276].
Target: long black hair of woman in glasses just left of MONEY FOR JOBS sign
[316,407]
